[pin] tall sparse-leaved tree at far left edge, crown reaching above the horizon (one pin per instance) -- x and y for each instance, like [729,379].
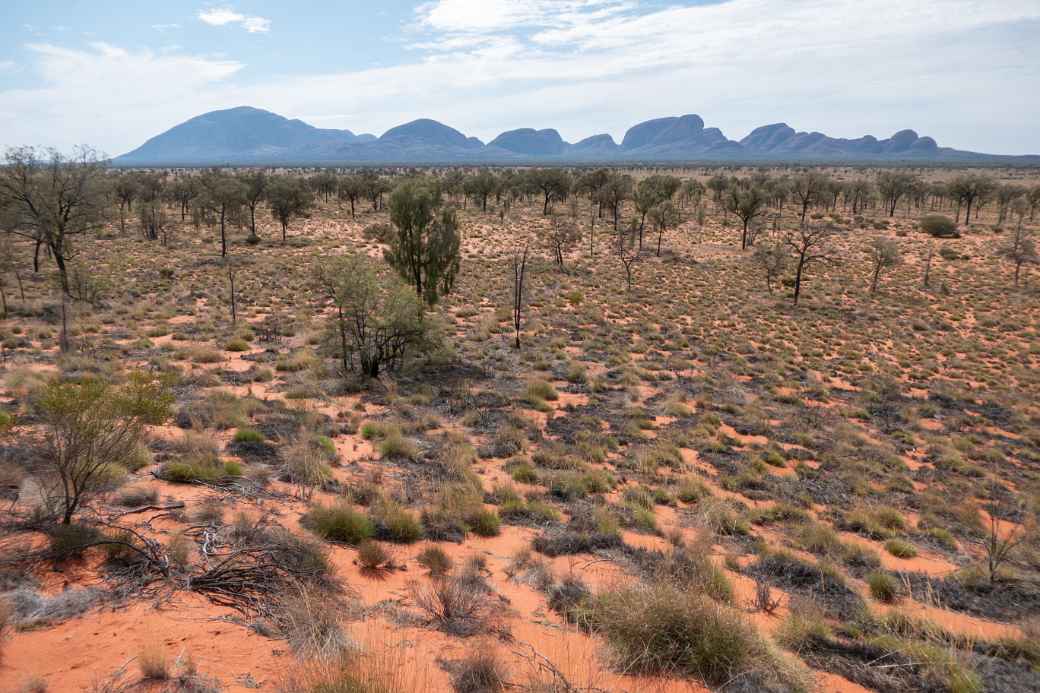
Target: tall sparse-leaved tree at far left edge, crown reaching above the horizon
[51,199]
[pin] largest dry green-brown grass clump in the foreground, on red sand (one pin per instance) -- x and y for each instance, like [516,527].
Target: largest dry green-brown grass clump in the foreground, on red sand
[663,630]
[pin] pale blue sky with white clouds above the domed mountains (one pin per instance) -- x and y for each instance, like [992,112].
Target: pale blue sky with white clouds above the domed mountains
[112,74]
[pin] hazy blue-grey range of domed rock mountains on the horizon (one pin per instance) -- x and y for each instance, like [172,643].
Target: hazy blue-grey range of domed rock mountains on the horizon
[252,137]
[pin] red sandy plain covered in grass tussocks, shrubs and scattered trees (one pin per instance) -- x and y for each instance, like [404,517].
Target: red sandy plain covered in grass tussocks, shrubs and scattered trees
[539,429]
